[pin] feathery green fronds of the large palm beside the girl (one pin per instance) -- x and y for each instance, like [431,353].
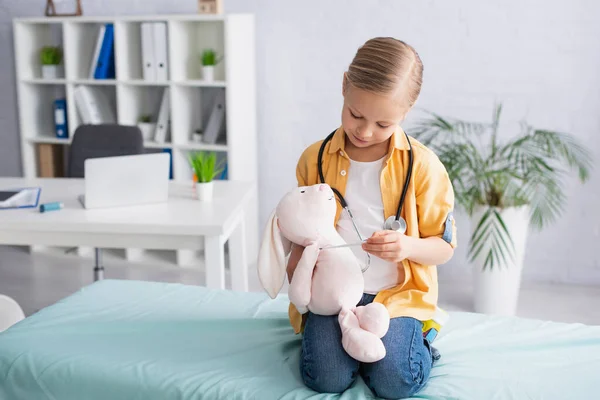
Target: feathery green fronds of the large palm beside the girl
[485,171]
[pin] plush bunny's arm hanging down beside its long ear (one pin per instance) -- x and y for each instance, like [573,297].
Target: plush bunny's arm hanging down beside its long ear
[300,287]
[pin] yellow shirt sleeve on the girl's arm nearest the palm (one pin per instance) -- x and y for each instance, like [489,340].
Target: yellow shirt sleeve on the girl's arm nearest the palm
[435,201]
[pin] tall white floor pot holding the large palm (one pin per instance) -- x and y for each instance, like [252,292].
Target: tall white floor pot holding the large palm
[496,290]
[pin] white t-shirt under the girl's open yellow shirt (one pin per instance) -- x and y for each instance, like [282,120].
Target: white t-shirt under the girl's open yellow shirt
[363,195]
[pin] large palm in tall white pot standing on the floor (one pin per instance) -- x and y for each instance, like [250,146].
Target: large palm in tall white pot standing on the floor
[505,187]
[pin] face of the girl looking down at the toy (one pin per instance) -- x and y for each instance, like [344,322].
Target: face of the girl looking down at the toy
[368,118]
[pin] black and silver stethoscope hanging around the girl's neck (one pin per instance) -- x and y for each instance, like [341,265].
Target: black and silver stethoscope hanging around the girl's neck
[394,223]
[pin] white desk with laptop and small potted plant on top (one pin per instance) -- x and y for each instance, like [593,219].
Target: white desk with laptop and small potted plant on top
[181,223]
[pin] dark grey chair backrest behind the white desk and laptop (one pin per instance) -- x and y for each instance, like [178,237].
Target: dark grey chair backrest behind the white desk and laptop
[105,140]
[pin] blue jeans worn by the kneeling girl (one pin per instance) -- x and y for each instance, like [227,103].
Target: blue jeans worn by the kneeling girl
[327,368]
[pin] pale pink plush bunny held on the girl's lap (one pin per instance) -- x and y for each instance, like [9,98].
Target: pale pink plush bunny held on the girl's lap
[326,281]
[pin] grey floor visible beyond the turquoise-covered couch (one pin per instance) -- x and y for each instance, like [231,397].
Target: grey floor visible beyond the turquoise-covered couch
[38,280]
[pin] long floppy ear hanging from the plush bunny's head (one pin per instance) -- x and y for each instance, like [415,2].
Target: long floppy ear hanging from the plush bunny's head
[272,257]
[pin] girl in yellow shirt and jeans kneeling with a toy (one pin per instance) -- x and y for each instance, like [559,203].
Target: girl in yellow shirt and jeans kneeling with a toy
[367,161]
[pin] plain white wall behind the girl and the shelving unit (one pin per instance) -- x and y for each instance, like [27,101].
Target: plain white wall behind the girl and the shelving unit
[540,58]
